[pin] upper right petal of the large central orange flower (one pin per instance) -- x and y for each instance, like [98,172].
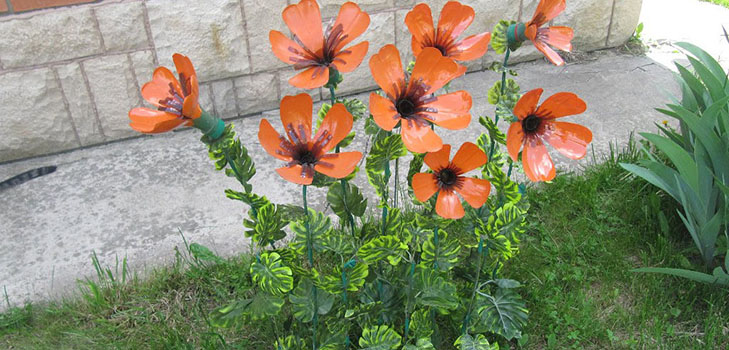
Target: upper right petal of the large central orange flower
[433,70]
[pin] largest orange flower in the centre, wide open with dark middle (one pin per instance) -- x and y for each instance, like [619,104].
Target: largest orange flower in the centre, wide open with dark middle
[411,103]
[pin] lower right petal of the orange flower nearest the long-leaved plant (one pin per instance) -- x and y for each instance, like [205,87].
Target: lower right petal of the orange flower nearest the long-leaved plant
[569,139]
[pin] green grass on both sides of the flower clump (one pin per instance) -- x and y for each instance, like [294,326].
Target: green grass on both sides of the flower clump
[586,234]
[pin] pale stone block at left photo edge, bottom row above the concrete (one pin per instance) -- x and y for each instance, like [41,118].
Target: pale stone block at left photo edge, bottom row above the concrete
[34,117]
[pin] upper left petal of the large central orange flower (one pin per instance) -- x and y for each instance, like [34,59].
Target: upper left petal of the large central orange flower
[386,69]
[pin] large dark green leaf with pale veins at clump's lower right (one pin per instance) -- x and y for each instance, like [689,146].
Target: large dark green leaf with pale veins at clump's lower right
[504,313]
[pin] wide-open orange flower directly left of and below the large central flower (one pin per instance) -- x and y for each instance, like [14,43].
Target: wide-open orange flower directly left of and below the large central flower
[306,153]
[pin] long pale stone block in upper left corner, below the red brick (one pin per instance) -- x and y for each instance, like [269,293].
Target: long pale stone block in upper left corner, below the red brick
[48,37]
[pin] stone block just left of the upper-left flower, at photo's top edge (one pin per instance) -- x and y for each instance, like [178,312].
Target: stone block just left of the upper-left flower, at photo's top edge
[261,18]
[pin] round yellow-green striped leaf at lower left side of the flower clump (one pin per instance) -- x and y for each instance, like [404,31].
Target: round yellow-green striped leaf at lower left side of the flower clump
[271,275]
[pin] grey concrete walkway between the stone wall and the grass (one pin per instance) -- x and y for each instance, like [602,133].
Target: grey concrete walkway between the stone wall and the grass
[132,198]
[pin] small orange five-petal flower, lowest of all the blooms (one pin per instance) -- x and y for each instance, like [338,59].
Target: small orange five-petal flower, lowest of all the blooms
[447,179]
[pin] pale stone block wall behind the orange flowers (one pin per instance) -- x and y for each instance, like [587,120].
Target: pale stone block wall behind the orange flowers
[70,74]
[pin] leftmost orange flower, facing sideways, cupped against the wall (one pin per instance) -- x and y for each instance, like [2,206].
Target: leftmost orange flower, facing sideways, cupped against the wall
[176,101]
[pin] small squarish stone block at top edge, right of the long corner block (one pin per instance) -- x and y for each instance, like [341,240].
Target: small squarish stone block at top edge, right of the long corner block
[122,26]
